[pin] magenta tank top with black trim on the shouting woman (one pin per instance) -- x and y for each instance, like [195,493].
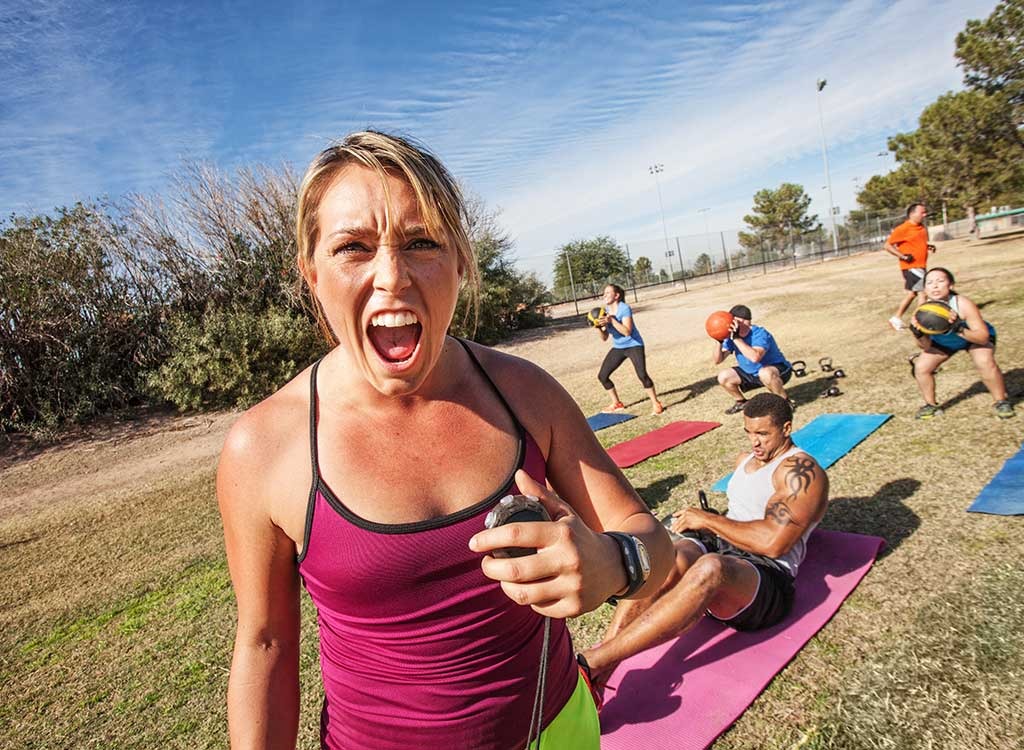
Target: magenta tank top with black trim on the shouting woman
[419,649]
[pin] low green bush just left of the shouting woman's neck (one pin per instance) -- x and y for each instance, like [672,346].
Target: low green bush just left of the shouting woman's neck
[234,357]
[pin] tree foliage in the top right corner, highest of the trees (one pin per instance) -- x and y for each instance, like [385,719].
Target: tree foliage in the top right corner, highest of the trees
[992,54]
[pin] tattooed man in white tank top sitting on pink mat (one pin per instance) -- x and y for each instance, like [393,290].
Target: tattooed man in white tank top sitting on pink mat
[739,568]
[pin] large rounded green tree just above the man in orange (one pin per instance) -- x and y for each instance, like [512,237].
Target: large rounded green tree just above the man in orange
[965,151]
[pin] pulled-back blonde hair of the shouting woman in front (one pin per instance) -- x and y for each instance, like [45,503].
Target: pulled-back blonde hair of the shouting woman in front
[441,202]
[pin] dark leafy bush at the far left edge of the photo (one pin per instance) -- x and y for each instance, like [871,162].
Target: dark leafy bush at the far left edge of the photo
[75,331]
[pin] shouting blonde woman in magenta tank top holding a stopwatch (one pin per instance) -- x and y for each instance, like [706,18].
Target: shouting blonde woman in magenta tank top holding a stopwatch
[368,480]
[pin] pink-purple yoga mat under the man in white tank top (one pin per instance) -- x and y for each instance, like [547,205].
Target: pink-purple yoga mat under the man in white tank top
[685,694]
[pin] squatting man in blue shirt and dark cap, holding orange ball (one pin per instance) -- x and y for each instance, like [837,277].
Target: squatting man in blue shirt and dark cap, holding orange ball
[759,361]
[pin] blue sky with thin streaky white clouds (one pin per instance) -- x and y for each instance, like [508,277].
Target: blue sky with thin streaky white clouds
[550,112]
